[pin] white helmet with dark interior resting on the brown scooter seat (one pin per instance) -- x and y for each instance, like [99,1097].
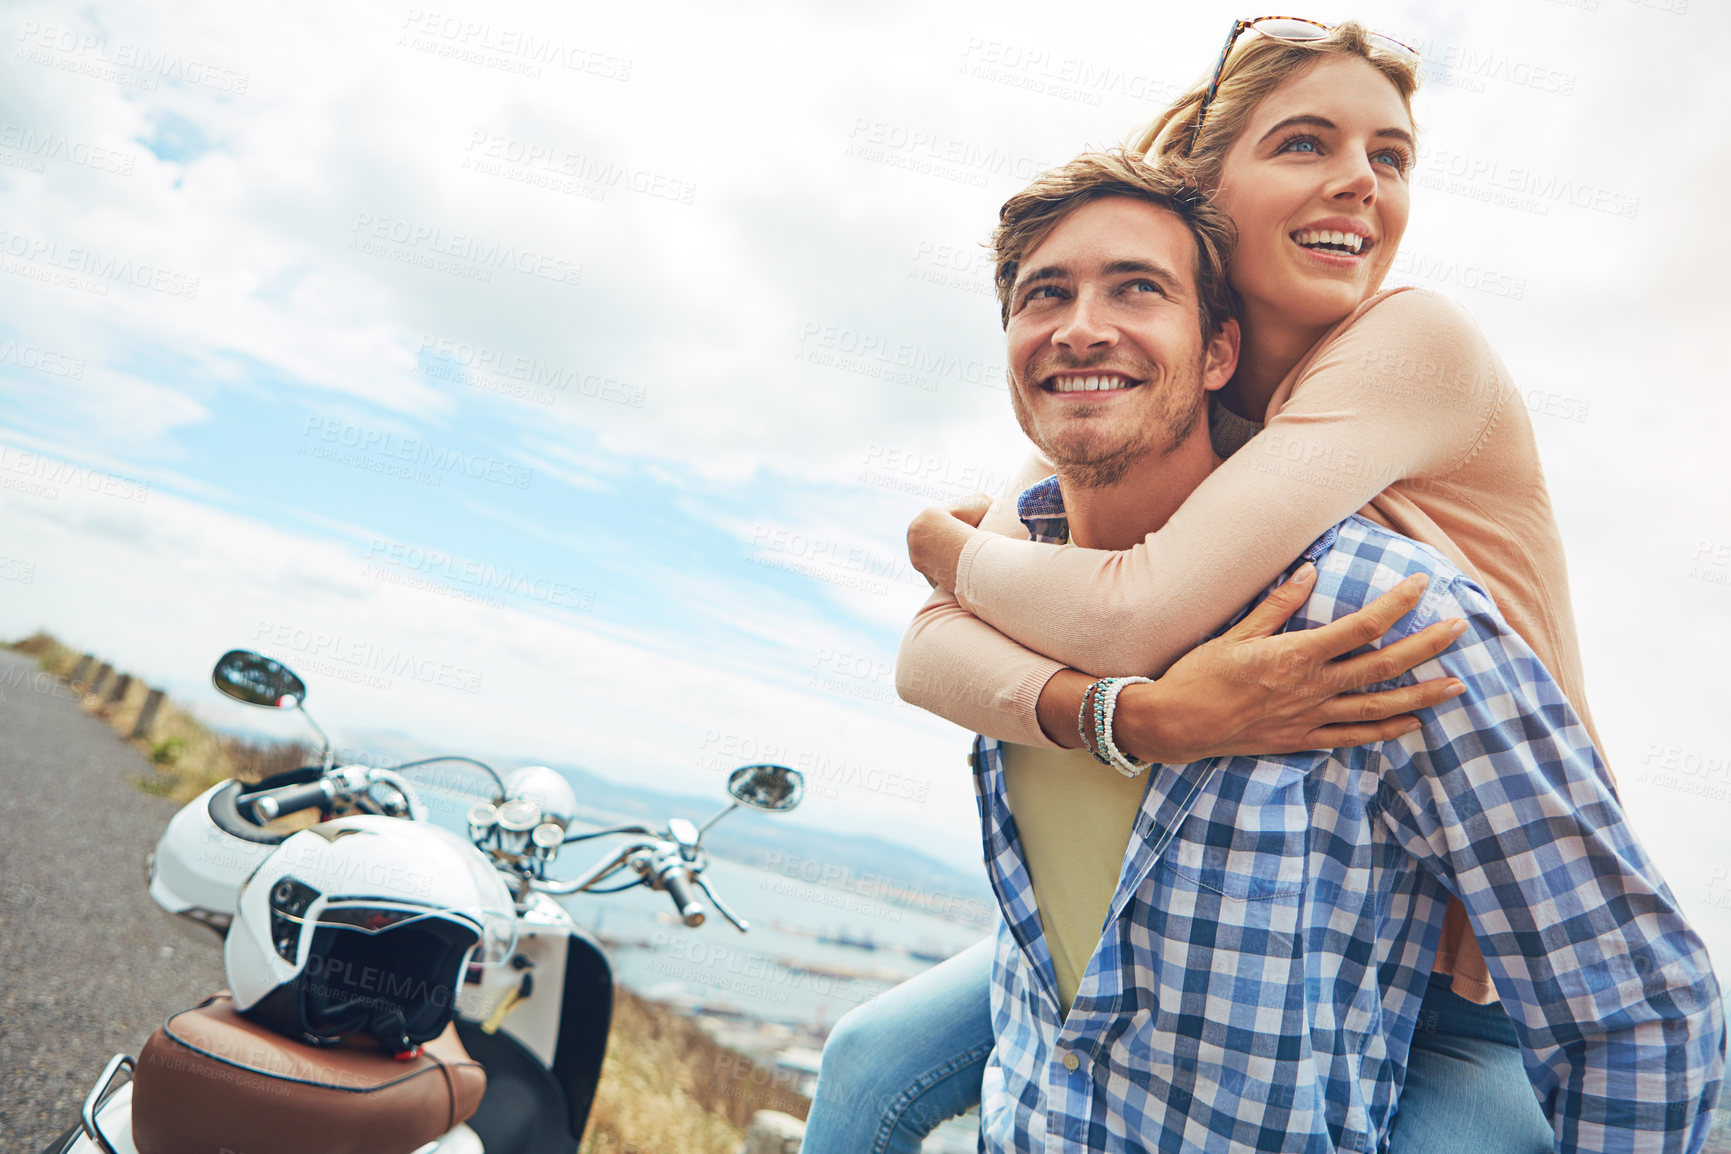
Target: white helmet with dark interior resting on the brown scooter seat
[366,925]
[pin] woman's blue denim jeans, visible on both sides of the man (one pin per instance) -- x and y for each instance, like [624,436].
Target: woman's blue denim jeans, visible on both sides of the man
[913,1058]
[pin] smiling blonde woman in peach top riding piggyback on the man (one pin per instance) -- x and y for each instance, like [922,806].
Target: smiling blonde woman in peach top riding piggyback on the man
[1344,399]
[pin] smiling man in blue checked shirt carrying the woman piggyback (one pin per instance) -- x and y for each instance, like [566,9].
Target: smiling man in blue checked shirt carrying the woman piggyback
[1232,954]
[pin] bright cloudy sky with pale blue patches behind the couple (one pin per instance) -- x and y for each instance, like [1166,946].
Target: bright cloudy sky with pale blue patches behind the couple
[557,381]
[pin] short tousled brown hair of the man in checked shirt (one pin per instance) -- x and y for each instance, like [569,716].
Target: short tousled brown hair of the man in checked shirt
[1029,217]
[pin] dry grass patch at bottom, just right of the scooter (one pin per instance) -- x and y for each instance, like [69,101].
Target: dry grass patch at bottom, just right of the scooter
[669,1089]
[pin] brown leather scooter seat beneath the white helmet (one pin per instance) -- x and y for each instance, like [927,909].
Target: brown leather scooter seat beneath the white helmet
[212,1082]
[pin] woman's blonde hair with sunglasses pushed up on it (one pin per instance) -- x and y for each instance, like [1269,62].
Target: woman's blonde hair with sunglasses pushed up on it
[1258,67]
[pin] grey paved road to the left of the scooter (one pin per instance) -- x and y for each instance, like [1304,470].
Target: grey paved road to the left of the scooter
[91,966]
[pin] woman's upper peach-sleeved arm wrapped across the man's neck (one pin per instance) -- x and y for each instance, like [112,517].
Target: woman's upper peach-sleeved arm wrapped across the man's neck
[1405,392]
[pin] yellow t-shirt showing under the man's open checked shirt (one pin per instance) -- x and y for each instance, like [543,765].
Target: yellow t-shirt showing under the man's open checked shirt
[1076,819]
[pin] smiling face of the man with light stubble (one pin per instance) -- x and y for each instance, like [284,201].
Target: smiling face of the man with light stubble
[1107,357]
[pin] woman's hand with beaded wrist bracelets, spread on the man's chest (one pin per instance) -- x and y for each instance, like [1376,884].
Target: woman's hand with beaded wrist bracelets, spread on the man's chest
[1254,691]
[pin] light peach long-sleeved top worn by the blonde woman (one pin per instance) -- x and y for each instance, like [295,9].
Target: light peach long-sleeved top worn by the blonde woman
[1401,413]
